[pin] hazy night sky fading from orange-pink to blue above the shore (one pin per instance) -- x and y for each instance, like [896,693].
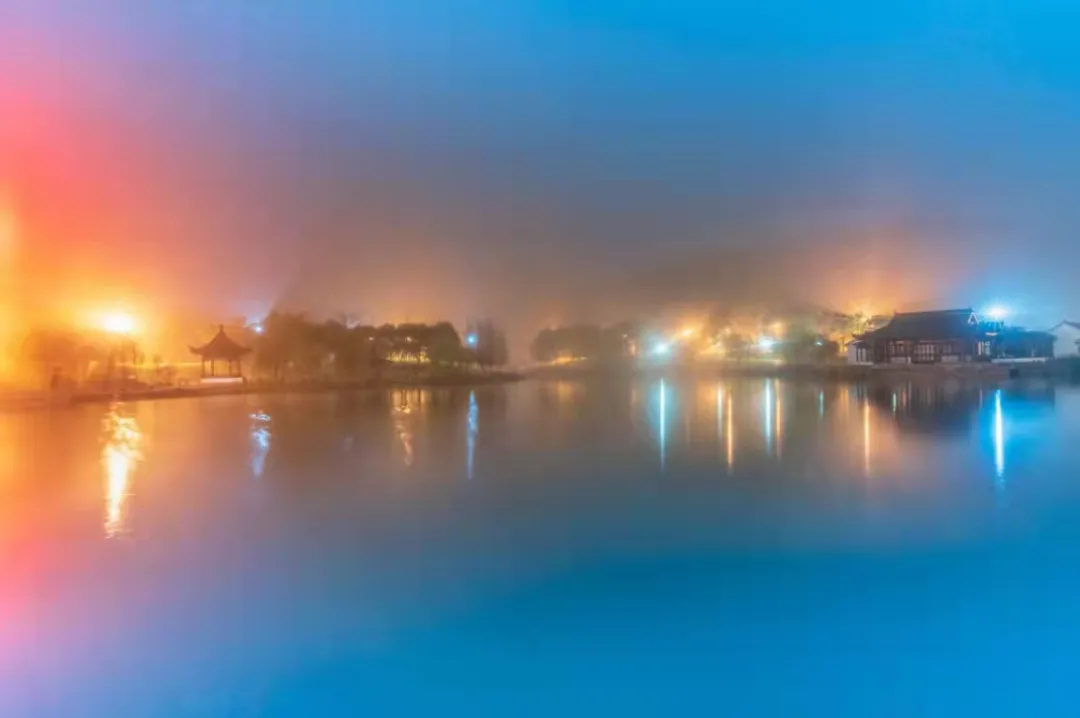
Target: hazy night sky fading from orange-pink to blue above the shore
[542,161]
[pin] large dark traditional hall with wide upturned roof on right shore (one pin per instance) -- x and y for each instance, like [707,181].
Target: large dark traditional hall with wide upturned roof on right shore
[954,335]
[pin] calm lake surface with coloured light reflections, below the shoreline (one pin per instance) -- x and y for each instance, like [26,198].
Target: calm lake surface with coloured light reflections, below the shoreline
[661,548]
